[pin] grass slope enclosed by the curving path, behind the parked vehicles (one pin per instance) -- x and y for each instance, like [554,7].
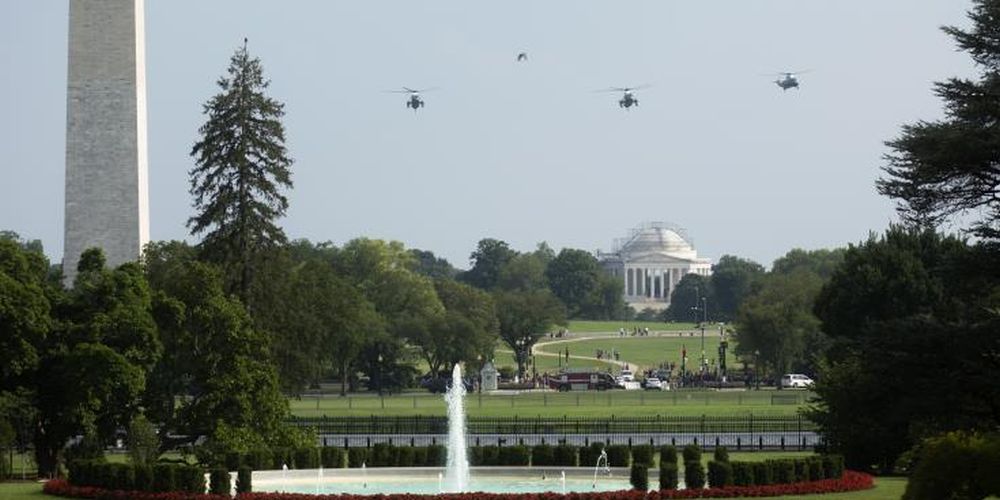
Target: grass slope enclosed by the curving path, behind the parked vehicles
[645,351]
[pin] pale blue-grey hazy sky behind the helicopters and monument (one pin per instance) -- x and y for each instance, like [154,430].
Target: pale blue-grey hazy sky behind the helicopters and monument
[521,152]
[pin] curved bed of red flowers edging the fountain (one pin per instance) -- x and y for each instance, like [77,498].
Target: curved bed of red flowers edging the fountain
[851,481]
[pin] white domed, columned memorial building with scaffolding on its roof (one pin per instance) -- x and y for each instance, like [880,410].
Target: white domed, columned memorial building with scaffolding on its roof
[651,261]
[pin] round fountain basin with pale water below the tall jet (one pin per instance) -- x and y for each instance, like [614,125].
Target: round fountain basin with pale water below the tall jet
[425,480]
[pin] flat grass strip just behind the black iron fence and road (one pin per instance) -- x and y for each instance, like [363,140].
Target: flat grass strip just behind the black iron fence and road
[551,404]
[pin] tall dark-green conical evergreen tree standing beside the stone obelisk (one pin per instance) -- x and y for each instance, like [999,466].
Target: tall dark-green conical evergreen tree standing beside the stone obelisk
[242,167]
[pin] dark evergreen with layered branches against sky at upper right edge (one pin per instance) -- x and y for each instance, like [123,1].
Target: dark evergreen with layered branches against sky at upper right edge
[950,166]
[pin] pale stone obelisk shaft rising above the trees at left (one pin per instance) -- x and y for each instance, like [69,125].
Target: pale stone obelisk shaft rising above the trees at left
[107,176]
